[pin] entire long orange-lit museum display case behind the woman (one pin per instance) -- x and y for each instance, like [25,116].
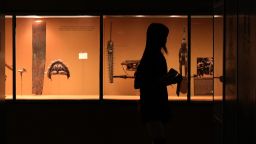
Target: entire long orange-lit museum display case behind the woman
[95,57]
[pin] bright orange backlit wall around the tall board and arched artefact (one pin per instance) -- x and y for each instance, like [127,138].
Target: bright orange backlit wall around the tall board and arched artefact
[65,39]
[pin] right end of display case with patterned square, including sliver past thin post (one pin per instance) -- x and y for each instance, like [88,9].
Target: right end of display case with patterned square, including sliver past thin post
[206,57]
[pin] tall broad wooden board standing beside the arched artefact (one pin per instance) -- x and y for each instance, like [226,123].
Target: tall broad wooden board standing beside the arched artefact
[38,56]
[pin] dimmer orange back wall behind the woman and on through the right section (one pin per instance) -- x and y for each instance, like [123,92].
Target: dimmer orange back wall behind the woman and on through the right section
[129,36]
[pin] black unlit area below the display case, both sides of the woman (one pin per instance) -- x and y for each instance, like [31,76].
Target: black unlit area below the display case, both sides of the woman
[95,122]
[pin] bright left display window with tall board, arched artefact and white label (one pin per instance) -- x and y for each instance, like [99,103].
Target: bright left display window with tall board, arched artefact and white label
[57,57]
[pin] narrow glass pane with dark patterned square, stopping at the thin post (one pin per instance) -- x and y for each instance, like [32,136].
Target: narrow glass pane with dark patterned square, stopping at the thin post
[202,60]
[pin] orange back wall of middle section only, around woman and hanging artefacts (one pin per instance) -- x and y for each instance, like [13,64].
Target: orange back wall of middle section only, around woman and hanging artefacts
[129,37]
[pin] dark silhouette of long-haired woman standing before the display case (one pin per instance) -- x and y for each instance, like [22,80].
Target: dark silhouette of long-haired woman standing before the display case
[150,78]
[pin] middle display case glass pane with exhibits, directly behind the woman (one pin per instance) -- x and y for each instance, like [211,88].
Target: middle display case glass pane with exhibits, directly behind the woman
[124,43]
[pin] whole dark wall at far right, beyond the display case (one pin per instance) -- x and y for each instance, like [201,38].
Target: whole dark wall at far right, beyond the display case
[240,90]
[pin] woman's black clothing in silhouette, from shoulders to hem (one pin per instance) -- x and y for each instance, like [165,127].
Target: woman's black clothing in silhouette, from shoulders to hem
[153,91]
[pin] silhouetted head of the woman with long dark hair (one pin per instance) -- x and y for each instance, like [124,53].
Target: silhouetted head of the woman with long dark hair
[157,36]
